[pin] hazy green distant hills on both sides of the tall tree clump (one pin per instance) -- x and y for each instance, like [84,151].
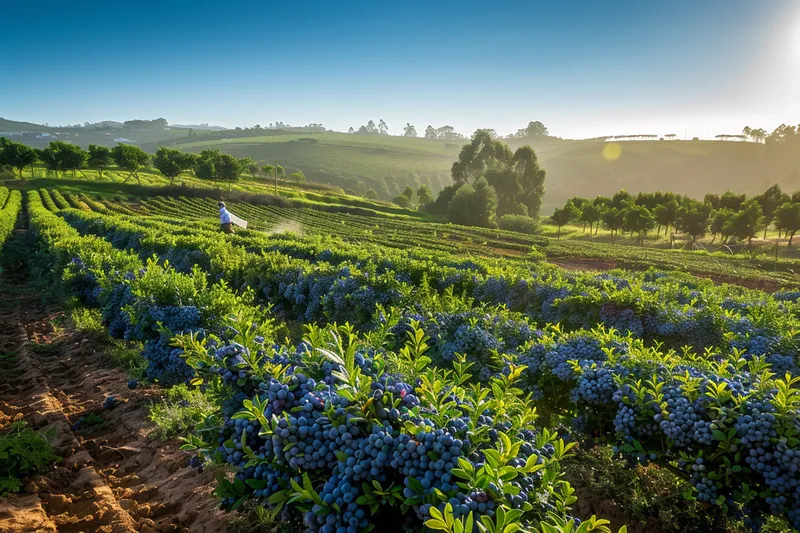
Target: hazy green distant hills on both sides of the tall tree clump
[388,163]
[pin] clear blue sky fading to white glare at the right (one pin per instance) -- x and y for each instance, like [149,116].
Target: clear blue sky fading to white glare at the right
[583,68]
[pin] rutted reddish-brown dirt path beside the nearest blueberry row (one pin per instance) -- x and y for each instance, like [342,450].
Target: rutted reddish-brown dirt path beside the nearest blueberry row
[112,479]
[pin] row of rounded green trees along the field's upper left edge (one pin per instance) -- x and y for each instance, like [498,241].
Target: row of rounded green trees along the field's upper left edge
[61,156]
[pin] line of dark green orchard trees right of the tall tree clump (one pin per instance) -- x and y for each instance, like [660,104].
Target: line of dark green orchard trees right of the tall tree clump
[729,215]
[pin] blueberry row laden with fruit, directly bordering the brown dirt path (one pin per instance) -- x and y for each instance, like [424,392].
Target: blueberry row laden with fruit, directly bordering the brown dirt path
[495,436]
